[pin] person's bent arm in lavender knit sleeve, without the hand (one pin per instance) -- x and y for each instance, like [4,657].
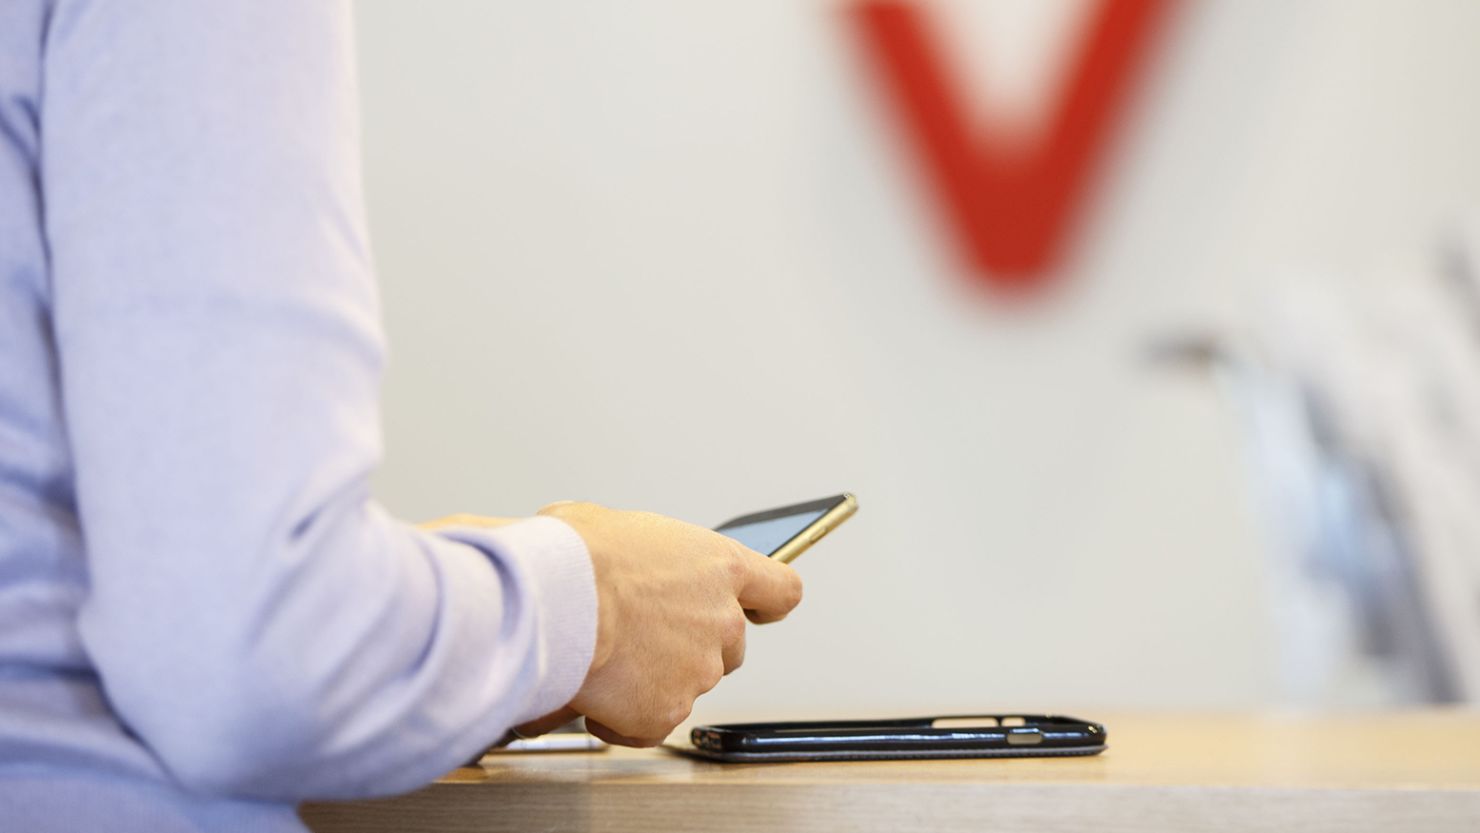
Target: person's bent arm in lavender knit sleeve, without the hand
[257,621]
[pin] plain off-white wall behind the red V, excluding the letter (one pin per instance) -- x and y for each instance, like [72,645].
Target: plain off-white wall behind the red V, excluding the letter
[673,255]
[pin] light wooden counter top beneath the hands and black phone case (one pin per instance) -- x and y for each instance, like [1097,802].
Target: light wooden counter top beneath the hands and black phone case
[1404,773]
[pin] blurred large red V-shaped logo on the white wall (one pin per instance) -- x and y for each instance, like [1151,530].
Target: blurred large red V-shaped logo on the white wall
[1010,203]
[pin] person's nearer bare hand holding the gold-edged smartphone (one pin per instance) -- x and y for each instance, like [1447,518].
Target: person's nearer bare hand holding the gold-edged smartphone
[673,607]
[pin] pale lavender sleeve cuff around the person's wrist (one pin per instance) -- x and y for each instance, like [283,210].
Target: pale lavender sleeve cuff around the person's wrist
[553,559]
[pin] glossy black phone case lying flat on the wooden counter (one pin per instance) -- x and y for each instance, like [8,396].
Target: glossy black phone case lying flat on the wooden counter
[978,736]
